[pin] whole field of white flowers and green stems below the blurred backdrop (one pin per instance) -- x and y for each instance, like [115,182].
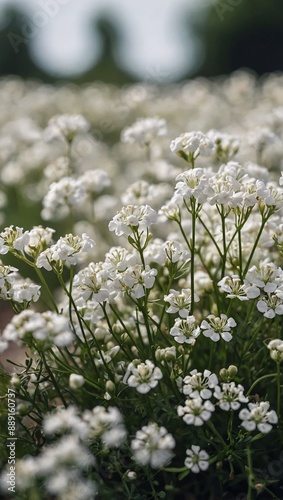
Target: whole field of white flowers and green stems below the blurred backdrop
[141,288]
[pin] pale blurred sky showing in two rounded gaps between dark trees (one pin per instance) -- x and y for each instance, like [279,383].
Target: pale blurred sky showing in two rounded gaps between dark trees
[154,42]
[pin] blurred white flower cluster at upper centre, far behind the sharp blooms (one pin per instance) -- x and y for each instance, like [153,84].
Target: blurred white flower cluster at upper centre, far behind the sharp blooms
[144,130]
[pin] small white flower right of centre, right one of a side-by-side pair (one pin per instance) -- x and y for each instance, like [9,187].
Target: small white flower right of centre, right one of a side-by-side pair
[216,327]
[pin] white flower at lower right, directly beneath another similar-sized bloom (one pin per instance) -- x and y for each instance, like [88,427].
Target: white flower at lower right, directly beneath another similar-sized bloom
[196,411]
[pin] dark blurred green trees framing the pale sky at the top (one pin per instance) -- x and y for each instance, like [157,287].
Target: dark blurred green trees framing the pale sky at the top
[232,34]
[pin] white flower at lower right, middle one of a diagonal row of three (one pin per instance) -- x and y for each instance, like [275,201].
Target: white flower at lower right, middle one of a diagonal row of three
[230,396]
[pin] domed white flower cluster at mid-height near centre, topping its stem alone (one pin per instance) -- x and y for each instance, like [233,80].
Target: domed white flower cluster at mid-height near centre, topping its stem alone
[133,218]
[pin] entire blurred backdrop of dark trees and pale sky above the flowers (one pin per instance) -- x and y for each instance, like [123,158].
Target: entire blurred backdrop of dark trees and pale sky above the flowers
[120,41]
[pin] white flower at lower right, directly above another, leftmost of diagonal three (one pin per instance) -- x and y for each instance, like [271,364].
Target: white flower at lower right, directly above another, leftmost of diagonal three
[200,385]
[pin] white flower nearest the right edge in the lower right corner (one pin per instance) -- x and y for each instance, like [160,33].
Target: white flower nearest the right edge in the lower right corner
[258,416]
